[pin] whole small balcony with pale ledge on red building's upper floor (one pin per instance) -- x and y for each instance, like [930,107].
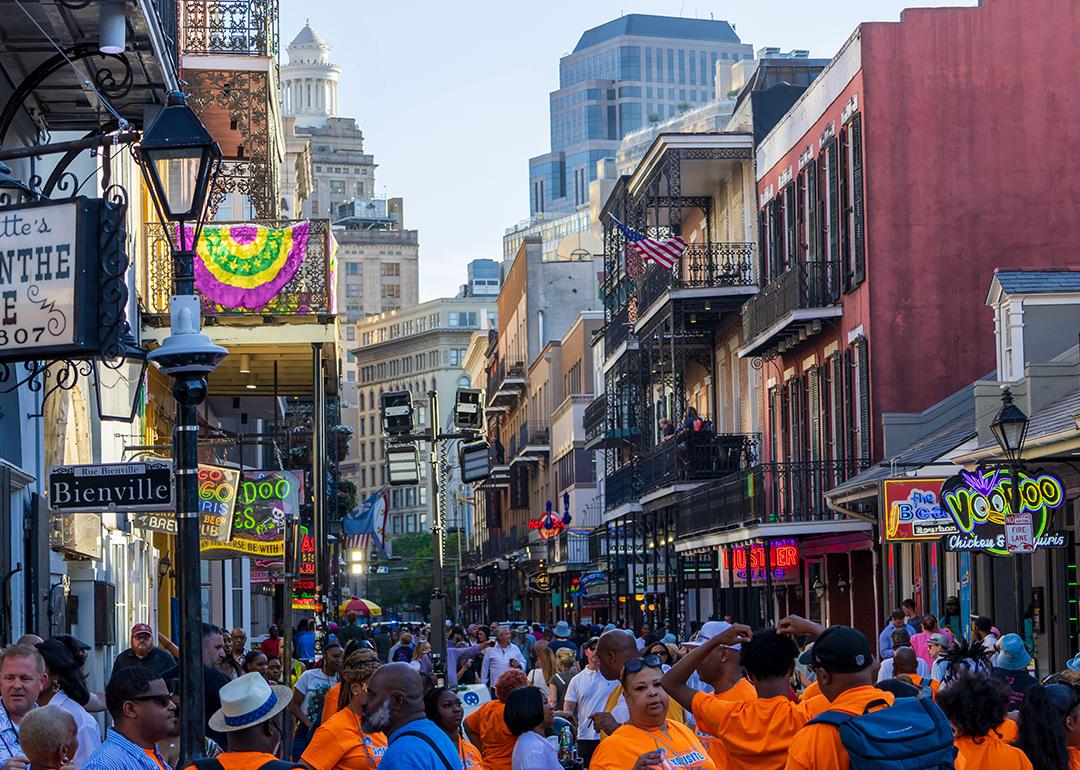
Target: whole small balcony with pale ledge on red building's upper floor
[791,307]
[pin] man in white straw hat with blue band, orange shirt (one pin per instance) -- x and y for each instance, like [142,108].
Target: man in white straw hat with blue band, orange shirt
[251,715]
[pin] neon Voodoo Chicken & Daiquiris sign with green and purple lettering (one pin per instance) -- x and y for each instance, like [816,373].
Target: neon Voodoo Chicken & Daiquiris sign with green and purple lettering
[980,504]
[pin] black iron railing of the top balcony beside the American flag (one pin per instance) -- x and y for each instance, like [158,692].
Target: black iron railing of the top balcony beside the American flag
[703,266]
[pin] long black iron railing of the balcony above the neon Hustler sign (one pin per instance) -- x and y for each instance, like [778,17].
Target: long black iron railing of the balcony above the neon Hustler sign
[771,493]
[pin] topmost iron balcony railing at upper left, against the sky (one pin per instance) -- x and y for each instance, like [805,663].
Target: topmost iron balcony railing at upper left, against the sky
[231,28]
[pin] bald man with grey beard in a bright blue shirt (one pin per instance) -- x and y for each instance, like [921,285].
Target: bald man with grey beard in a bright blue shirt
[395,707]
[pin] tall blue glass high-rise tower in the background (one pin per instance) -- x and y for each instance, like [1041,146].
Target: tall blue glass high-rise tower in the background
[620,76]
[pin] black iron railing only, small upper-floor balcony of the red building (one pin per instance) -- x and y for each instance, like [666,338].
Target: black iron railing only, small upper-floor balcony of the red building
[807,286]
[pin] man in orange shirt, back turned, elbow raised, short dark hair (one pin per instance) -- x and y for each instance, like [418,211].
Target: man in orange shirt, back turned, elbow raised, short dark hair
[753,733]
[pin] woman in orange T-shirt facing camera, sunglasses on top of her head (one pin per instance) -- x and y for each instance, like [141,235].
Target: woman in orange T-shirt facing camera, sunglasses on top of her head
[650,741]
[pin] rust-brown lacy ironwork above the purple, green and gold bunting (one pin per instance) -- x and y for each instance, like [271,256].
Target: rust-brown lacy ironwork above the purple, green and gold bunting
[252,169]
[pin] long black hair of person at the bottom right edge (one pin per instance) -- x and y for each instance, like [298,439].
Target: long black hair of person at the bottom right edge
[1050,726]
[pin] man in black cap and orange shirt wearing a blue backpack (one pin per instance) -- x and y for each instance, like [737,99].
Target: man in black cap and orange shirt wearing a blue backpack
[844,665]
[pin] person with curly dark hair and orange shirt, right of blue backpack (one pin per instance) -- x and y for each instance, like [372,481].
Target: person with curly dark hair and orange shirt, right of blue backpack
[977,705]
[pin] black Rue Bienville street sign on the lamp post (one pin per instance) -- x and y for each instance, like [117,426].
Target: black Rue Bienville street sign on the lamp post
[115,487]
